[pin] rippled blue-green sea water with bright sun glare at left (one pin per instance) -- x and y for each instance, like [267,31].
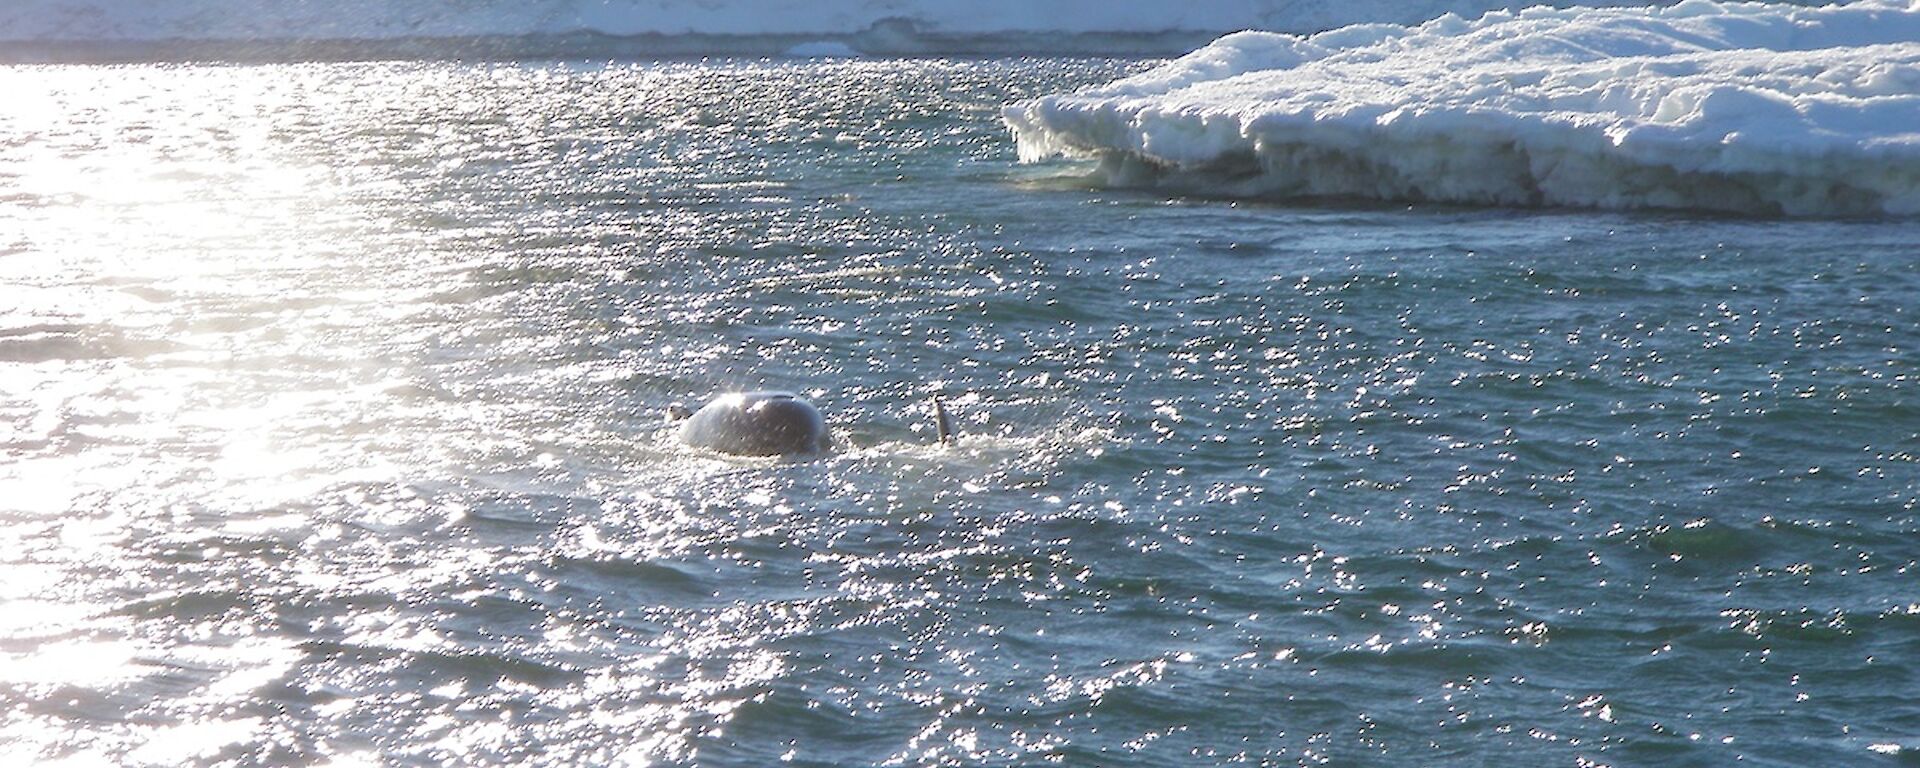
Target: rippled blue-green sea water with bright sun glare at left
[331,408]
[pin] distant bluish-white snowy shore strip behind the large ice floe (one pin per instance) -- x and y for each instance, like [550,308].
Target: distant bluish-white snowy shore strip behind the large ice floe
[375,20]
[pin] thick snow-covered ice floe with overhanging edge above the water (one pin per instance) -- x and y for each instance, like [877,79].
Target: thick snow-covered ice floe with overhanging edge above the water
[1752,108]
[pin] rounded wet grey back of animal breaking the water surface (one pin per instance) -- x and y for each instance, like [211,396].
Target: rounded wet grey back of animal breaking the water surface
[757,423]
